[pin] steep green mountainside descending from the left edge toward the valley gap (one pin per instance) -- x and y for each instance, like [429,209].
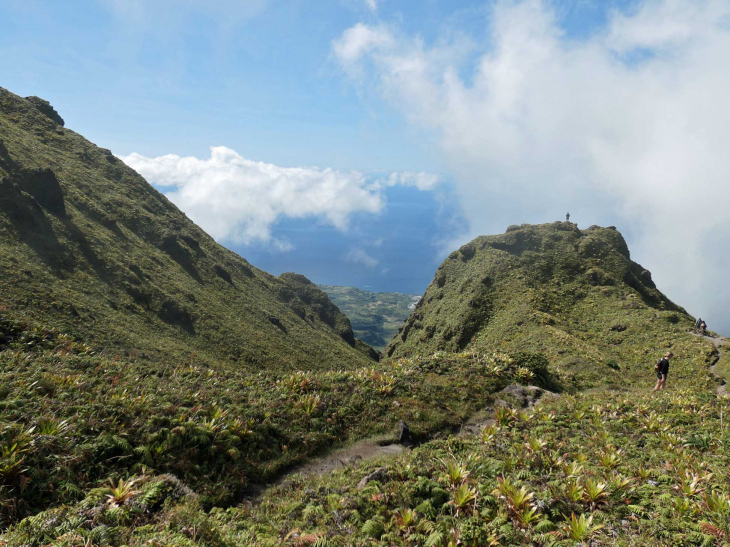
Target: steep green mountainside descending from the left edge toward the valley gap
[87,245]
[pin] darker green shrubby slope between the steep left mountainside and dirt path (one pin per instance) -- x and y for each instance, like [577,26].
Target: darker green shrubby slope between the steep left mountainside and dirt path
[70,419]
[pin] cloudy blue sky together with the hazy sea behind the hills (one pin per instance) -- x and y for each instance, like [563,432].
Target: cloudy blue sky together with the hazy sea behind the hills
[360,141]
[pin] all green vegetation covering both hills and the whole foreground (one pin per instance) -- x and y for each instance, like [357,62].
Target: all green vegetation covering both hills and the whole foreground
[177,379]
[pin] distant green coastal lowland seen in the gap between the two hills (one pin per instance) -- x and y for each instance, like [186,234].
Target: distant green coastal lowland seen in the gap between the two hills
[375,317]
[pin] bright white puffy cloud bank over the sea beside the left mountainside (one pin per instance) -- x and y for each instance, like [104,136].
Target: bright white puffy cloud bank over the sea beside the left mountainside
[240,200]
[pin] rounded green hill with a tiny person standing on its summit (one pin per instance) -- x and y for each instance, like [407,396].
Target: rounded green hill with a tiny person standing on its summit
[575,296]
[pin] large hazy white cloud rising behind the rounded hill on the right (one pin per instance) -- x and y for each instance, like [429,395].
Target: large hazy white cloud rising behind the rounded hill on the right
[627,127]
